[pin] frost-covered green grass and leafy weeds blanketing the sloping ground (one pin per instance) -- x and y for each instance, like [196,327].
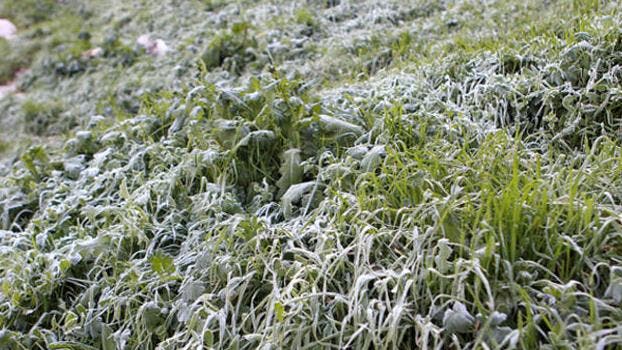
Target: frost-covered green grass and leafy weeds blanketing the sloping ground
[407,176]
